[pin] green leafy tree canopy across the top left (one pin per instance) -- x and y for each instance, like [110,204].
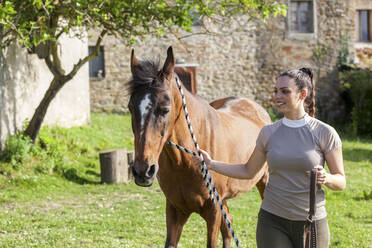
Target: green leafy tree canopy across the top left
[31,22]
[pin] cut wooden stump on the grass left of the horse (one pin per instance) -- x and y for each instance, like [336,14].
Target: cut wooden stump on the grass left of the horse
[114,166]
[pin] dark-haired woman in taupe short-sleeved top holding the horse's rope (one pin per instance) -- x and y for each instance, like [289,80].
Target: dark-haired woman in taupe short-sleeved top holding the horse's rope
[292,147]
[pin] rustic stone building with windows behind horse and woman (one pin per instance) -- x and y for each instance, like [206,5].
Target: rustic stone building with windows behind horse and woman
[243,58]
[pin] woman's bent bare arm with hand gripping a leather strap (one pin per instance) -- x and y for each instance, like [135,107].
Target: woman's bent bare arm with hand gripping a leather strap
[334,180]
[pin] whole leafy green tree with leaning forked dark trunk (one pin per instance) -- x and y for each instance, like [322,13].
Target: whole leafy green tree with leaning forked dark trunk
[38,24]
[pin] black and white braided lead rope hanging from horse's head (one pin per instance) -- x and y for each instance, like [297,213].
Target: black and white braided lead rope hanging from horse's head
[203,167]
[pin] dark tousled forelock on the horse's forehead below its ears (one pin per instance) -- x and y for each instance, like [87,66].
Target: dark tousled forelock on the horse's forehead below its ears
[146,75]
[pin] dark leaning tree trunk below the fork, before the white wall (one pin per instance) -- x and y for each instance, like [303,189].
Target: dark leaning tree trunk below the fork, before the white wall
[33,127]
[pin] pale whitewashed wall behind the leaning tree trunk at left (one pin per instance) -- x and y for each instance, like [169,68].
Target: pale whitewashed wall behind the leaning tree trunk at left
[24,78]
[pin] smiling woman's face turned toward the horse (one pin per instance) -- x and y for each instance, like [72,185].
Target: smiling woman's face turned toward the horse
[287,97]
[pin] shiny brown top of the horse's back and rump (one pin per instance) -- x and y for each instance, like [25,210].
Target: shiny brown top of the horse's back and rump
[244,108]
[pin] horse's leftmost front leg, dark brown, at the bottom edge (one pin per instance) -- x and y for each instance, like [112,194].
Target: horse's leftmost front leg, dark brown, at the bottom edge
[175,222]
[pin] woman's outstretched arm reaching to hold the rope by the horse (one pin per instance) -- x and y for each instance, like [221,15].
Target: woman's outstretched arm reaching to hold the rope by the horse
[240,171]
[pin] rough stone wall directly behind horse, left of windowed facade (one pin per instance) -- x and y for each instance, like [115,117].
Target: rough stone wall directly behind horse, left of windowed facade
[226,63]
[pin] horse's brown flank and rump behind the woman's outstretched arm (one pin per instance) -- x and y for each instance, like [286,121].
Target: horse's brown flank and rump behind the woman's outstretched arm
[242,120]
